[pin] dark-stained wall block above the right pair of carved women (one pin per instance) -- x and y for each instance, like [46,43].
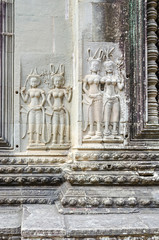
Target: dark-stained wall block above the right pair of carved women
[109,21]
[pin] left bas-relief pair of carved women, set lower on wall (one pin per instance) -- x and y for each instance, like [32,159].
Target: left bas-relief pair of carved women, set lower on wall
[45,118]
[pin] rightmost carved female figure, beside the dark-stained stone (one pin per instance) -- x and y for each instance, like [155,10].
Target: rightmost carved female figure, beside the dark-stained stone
[111,101]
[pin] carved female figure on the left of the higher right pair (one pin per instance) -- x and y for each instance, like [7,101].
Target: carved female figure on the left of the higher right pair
[92,97]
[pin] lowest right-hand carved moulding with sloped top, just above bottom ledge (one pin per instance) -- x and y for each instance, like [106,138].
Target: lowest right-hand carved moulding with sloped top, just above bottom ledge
[121,197]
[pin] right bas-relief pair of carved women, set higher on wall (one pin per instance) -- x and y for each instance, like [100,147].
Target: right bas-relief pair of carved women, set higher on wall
[102,107]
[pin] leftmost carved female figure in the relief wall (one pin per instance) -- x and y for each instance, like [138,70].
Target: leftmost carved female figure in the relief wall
[34,110]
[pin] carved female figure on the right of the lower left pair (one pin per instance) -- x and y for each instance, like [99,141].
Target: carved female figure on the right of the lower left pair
[60,115]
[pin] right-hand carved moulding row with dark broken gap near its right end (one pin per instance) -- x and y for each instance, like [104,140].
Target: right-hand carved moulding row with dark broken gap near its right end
[137,178]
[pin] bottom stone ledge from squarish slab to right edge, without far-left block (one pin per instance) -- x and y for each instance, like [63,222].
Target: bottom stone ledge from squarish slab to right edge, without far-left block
[45,221]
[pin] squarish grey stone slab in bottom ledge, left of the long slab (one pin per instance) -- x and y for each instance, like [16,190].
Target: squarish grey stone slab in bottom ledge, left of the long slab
[42,220]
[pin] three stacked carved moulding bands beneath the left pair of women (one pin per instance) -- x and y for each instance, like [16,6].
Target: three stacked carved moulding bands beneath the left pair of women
[31,171]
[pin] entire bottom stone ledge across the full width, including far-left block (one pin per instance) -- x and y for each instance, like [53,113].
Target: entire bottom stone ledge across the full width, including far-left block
[44,222]
